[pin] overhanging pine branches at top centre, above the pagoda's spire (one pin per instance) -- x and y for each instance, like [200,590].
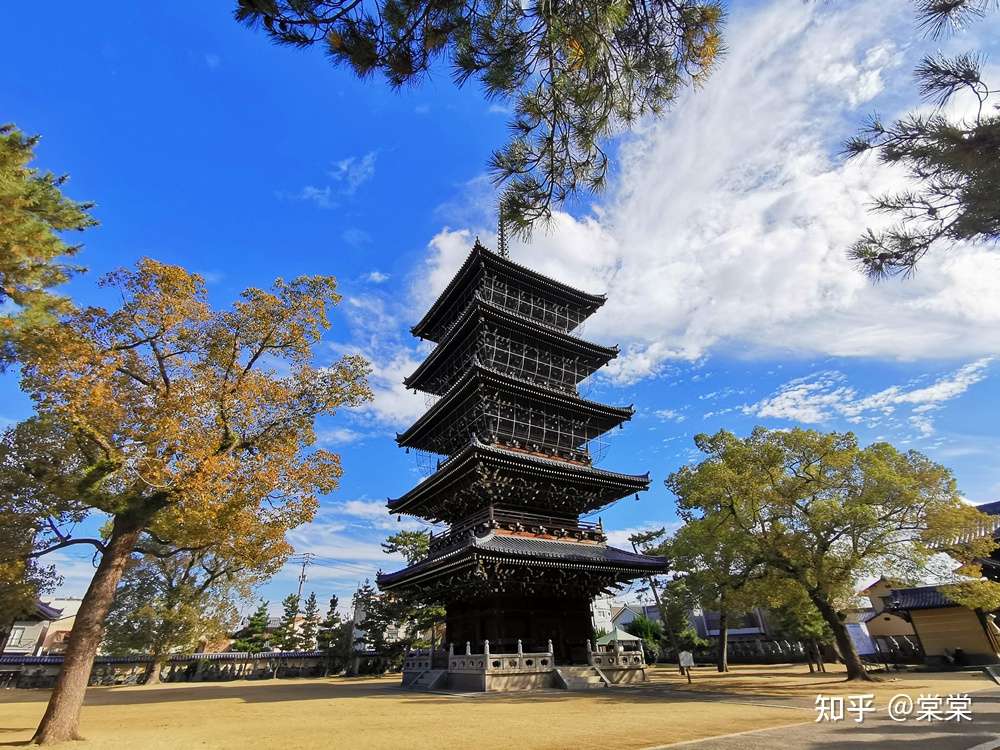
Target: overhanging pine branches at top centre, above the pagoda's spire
[574,72]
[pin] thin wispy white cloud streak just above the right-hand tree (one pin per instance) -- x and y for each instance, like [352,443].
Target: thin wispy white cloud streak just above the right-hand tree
[827,395]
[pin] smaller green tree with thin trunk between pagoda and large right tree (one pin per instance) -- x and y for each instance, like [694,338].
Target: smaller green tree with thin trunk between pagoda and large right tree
[720,561]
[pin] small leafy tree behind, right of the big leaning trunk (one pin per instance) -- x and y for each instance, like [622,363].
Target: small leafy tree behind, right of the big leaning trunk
[173,603]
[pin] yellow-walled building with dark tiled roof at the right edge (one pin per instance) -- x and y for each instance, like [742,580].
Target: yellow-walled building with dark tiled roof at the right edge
[948,631]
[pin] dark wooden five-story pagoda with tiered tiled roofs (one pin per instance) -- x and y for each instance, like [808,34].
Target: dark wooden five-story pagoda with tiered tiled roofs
[517,568]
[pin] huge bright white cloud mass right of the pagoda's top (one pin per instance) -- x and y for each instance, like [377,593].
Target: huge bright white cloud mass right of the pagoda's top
[729,219]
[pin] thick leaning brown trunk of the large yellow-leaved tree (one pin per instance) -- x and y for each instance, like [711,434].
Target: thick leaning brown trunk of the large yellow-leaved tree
[62,717]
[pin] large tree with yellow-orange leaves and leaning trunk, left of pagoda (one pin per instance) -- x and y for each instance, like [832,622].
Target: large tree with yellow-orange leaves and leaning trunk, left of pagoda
[192,424]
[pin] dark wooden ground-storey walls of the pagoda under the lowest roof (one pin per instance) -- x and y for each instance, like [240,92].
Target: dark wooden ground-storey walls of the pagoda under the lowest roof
[535,621]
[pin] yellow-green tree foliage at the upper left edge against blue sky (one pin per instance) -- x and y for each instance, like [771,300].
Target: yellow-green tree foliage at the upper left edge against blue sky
[33,254]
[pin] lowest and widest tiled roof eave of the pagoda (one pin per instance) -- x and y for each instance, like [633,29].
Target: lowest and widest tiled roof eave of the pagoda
[530,553]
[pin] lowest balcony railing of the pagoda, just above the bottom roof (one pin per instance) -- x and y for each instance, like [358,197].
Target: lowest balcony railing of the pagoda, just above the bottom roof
[492,519]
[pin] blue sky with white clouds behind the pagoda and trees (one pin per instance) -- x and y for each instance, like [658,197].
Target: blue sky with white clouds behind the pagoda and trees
[720,240]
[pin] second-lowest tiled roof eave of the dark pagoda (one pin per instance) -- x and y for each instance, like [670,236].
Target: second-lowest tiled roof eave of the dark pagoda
[465,460]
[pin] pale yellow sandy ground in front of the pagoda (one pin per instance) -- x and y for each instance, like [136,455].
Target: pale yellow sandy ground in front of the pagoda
[367,713]
